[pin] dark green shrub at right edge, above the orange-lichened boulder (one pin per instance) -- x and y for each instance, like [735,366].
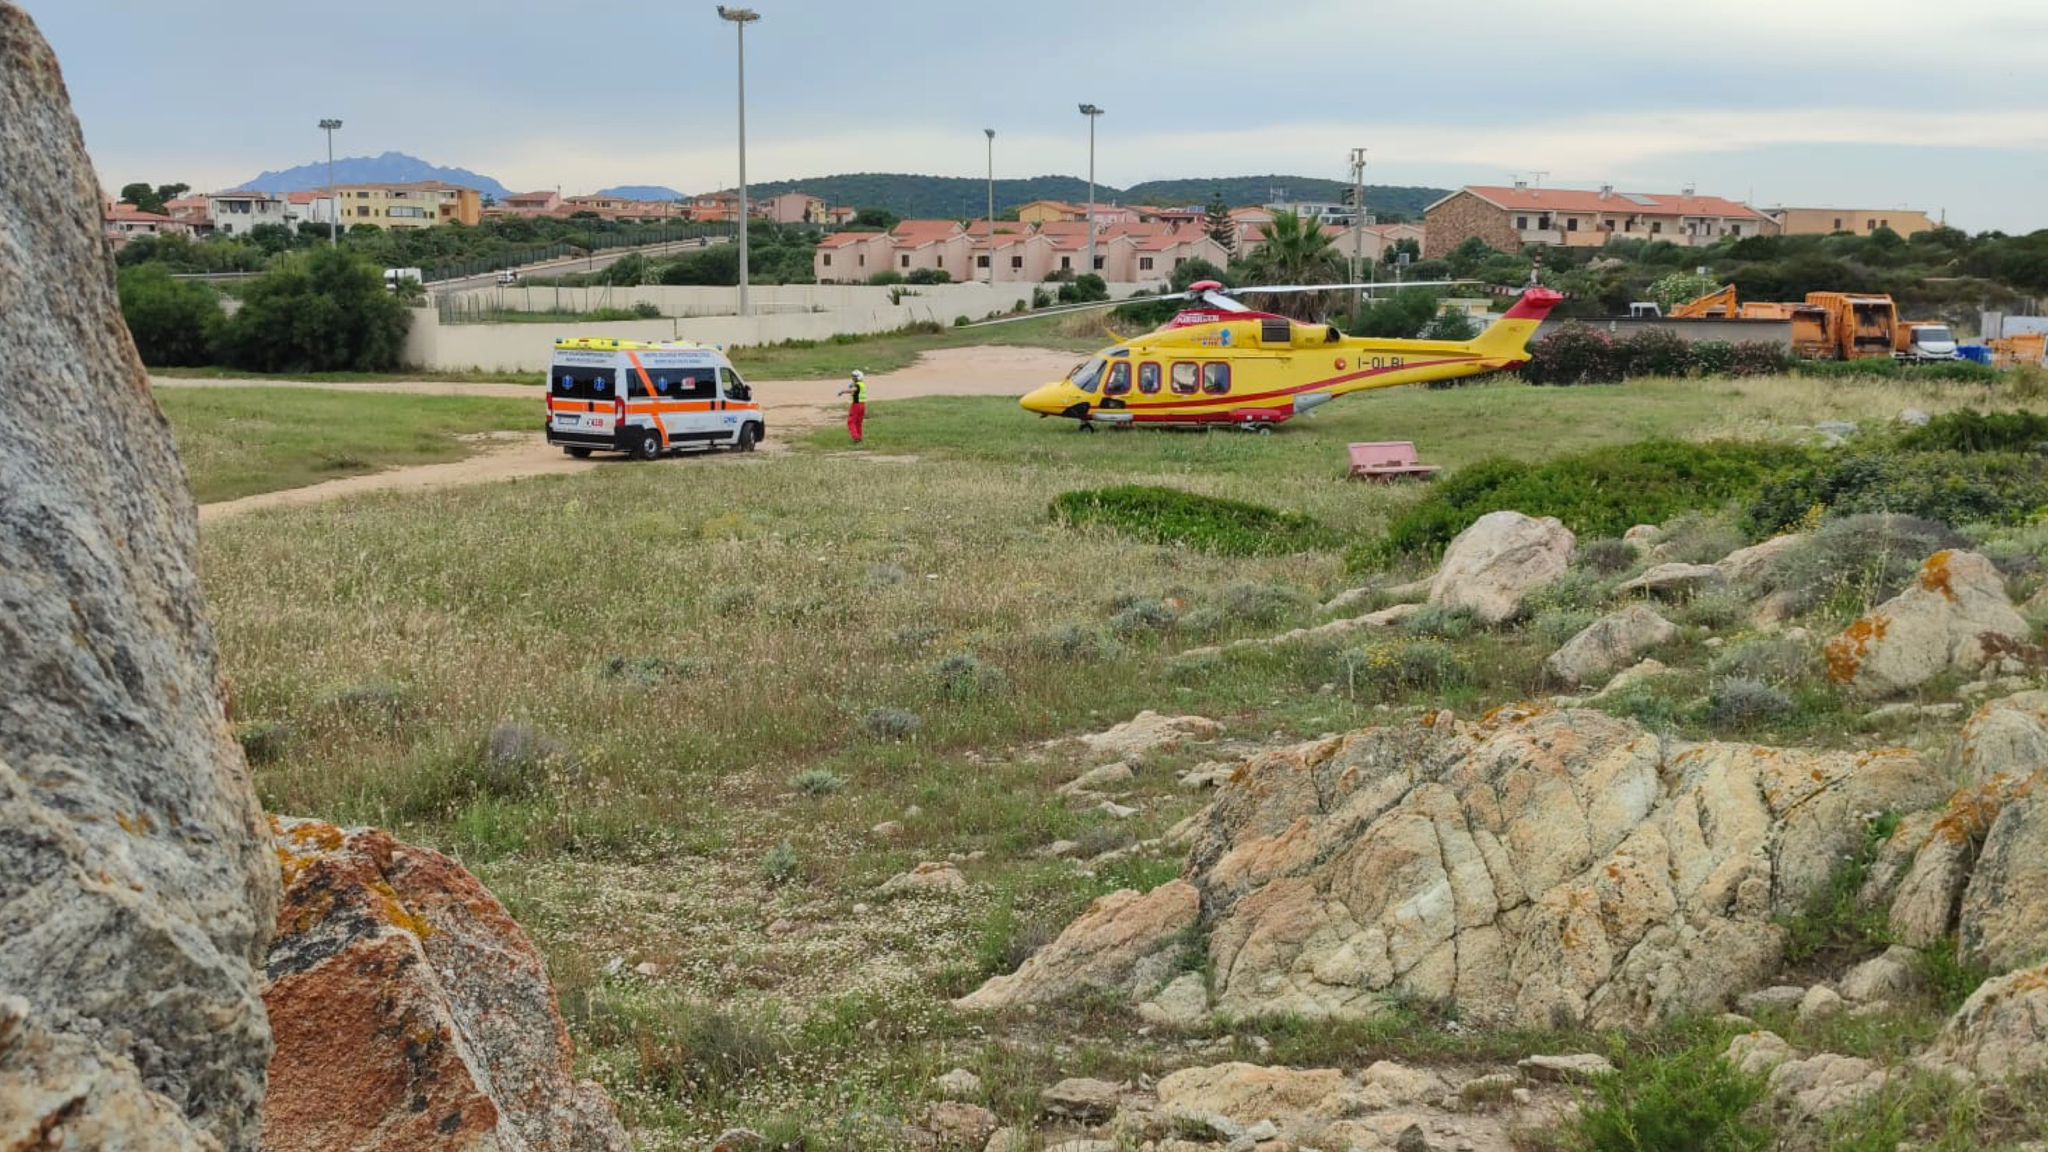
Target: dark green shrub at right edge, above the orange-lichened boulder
[1947,487]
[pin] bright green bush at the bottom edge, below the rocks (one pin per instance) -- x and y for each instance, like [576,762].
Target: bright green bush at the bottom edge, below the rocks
[1682,1102]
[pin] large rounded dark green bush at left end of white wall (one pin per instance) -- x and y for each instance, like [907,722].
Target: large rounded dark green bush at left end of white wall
[323,311]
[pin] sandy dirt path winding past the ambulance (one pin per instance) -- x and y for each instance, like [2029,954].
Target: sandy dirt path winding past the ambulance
[792,407]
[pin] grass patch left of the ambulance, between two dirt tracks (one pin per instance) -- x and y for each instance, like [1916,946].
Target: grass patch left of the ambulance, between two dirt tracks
[239,442]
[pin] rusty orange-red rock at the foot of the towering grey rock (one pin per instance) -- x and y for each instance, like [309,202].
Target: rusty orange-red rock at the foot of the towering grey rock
[411,1012]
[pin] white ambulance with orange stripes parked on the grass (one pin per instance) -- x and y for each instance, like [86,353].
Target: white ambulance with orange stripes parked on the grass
[648,399]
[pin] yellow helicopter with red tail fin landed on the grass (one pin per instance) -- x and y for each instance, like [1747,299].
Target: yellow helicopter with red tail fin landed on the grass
[1228,364]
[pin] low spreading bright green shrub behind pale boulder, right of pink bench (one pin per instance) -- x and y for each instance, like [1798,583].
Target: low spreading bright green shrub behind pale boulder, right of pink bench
[1596,493]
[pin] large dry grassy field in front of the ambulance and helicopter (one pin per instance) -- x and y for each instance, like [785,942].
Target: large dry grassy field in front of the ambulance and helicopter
[724,675]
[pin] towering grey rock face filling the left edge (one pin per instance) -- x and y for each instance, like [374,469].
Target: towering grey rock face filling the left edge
[136,880]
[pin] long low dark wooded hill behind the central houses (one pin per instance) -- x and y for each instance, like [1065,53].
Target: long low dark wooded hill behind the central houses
[968,198]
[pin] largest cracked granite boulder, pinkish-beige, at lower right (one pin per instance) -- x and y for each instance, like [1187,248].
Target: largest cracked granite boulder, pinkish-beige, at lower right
[1537,868]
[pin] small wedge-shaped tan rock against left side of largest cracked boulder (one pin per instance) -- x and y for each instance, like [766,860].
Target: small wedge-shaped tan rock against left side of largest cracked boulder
[1125,942]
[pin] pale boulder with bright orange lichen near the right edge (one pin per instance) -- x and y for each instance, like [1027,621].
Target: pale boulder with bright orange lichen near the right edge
[1953,618]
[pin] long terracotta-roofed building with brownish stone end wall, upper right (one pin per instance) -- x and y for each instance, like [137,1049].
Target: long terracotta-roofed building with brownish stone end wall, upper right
[1512,218]
